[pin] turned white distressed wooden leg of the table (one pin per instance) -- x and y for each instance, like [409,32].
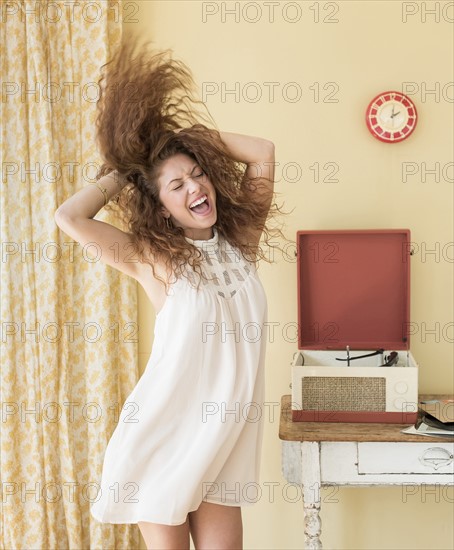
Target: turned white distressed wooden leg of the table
[311,494]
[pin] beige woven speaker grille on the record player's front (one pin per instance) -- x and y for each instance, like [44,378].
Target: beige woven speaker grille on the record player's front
[336,393]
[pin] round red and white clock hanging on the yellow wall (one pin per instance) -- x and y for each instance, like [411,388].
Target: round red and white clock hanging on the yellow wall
[391,117]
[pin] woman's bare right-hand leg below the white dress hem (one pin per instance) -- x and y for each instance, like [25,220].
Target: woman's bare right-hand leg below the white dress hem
[216,527]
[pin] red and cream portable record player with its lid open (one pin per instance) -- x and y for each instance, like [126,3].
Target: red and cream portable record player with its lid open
[354,362]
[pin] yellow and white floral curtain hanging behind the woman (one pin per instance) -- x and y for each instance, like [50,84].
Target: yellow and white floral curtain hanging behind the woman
[69,332]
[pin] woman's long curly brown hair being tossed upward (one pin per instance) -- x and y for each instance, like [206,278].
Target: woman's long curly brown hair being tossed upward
[147,112]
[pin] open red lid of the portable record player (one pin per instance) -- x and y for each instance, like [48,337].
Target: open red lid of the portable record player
[353,289]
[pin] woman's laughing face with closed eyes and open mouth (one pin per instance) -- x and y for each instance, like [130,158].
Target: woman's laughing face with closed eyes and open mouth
[182,183]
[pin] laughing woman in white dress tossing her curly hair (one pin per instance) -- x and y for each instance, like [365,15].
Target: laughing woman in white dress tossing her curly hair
[190,458]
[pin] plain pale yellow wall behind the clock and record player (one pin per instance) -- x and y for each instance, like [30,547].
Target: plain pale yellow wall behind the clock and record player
[373,47]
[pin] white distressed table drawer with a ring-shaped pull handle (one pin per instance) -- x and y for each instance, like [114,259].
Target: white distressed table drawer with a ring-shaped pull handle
[405,458]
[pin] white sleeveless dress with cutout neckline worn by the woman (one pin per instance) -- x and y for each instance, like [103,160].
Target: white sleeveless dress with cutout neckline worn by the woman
[193,428]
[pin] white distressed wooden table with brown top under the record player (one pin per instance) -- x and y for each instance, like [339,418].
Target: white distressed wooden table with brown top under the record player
[317,454]
